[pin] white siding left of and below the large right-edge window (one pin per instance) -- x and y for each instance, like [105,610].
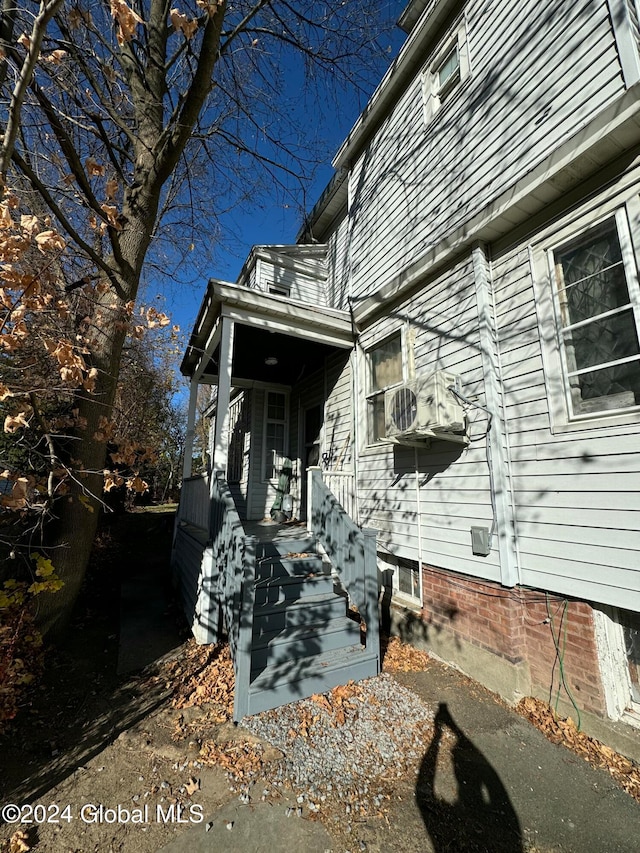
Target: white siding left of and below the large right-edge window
[575,492]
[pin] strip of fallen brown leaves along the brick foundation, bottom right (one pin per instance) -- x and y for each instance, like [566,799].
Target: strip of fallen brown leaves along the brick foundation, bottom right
[564,731]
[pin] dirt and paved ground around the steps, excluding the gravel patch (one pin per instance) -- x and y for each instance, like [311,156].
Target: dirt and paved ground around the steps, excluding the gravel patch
[159,743]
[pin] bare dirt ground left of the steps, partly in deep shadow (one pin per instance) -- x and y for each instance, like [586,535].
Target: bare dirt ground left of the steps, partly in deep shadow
[88,735]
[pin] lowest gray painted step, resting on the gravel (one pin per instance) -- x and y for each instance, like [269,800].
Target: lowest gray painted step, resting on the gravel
[288,682]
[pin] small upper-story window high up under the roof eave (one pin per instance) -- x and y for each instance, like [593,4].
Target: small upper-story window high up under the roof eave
[448,68]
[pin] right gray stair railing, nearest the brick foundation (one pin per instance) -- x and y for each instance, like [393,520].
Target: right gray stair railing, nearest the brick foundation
[352,551]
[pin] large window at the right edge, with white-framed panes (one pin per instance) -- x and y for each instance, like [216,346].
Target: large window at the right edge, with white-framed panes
[597,308]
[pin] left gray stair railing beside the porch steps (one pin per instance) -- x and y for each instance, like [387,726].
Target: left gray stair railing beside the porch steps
[232,589]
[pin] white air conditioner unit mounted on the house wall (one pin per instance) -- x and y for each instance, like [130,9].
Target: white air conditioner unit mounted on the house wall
[425,408]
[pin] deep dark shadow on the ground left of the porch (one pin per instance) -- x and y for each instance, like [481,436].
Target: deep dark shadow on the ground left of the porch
[83,701]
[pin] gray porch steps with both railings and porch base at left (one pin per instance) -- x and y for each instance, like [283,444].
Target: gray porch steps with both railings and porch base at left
[298,603]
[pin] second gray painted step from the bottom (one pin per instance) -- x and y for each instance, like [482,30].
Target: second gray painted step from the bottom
[301,641]
